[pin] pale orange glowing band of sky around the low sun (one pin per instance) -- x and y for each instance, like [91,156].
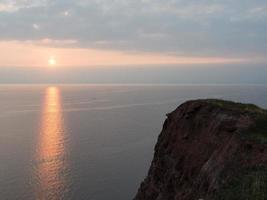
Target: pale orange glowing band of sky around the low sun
[39,53]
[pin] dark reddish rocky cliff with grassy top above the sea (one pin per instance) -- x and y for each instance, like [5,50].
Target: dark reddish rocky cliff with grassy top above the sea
[209,149]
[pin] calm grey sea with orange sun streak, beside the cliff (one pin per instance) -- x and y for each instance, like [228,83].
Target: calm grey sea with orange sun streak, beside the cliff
[89,142]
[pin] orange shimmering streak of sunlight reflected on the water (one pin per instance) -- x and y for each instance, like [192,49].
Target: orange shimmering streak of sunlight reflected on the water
[51,167]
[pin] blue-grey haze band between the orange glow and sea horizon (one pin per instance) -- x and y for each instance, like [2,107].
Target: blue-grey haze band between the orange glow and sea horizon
[164,74]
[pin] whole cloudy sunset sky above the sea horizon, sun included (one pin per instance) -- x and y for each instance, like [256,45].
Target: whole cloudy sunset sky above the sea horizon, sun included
[197,40]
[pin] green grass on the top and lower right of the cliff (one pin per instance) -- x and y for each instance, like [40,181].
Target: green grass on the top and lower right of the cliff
[237,182]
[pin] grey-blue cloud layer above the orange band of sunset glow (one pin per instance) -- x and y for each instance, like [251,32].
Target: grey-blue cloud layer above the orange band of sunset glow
[179,27]
